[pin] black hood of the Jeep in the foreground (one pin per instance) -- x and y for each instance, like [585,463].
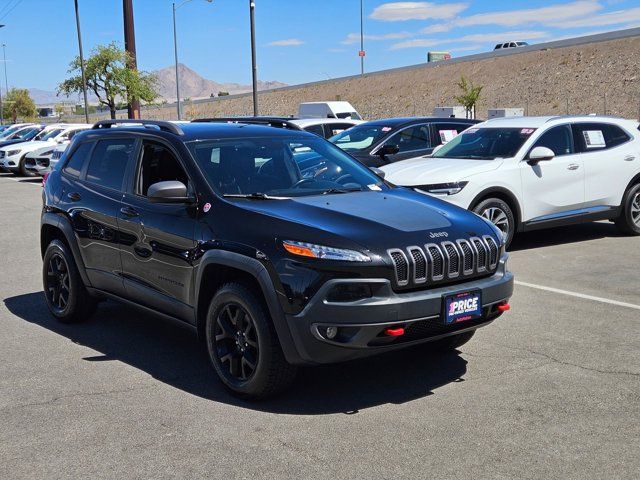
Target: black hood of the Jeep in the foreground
[371,220]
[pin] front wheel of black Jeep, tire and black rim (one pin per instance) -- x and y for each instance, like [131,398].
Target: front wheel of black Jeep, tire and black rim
[243,345]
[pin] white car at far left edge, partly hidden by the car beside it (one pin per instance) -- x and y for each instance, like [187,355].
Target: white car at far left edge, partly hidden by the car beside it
[13,157]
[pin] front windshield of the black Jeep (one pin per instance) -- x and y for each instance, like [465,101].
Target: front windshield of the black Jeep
[280,167]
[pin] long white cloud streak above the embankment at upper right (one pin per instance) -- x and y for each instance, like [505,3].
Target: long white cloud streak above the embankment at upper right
[552,15]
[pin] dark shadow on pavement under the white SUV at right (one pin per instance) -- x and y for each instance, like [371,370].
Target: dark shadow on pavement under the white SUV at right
[562,235]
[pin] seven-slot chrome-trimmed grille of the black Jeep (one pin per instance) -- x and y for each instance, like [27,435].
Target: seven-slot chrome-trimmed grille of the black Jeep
[445,261]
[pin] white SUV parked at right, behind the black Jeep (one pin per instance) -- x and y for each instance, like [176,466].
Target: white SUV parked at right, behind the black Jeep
[529,173]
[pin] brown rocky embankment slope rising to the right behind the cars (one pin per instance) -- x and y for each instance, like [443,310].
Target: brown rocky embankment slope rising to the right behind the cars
[589,78]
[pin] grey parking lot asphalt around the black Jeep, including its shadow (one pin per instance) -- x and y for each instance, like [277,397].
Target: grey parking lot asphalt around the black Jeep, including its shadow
[550,390]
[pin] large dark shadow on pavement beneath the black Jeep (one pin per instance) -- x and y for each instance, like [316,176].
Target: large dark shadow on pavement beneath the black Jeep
[174,356]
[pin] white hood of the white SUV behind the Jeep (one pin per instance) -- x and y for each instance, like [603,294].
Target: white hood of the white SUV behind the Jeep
[428,170]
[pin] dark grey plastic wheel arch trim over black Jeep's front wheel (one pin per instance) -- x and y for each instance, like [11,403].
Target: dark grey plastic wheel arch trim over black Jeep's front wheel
[218,267]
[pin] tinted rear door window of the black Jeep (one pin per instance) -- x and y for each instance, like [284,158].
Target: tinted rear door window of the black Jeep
[109,162]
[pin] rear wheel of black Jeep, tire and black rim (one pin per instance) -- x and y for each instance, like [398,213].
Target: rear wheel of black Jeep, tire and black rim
[65,293]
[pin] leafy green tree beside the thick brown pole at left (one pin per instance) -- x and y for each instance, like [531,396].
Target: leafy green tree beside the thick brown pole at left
[109,78]
